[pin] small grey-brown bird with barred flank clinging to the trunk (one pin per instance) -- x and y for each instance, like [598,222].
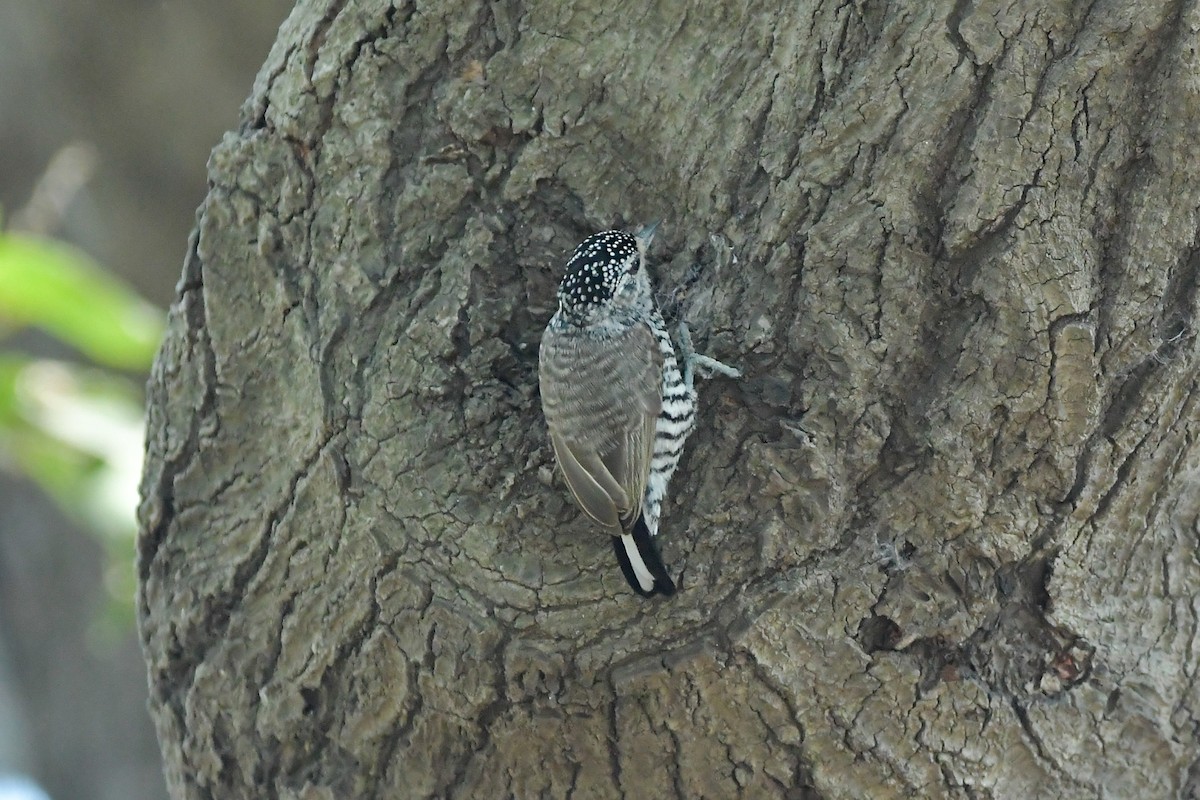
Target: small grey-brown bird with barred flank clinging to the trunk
[619,404]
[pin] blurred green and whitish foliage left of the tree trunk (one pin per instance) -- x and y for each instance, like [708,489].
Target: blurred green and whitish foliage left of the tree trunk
[74,425]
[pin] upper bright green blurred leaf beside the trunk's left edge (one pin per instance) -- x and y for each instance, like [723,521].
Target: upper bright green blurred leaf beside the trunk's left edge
[59,290]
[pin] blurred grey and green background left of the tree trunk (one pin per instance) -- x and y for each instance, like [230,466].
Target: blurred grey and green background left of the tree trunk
[109,111]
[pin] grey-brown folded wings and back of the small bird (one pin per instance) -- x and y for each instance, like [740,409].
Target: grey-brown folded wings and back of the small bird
[602,400]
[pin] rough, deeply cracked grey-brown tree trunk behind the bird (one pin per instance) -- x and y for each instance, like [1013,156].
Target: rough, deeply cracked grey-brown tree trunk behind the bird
[941,542]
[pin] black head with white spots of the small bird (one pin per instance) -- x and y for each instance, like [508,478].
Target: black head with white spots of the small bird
[604,275]
